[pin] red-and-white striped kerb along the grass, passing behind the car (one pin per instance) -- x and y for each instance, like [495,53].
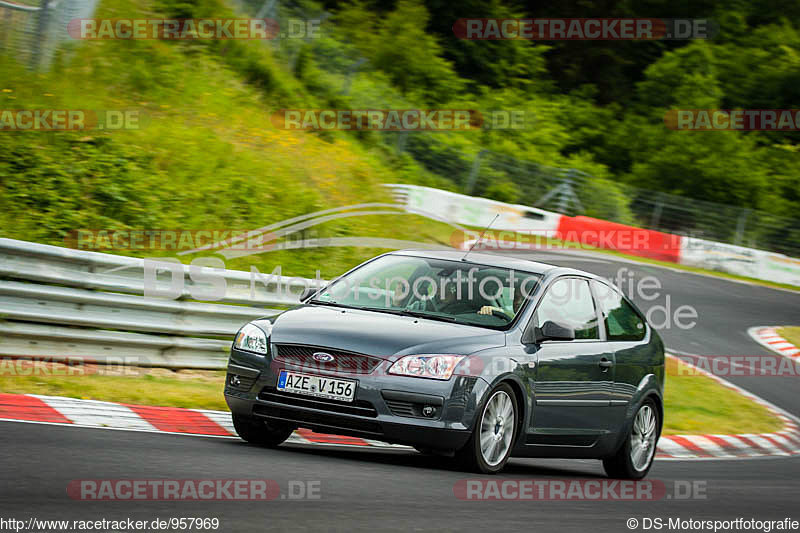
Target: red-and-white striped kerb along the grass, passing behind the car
[109,415]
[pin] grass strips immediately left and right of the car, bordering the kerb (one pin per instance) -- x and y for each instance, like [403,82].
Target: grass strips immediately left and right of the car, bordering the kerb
[694,404]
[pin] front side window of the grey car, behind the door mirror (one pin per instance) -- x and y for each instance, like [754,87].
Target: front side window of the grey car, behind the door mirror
[568,302]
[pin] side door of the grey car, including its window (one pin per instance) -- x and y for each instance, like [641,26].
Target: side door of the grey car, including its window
[573,379]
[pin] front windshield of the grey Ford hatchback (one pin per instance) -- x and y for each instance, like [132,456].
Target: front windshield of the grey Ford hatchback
[438,289]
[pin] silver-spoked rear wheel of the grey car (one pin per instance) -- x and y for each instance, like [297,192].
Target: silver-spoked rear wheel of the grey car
[635,457]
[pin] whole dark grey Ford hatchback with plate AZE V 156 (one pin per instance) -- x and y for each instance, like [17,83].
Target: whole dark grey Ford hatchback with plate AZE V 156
[480,357]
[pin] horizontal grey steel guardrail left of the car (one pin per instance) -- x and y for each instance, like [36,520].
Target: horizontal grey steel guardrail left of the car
[59,303]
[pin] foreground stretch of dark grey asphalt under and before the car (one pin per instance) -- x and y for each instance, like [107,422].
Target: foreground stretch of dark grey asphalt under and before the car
[359,490]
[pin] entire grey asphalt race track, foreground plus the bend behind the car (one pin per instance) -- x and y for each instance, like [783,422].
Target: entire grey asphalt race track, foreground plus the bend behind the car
[401,490]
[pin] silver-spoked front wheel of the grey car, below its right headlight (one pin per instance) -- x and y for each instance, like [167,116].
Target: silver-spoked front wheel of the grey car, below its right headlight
[490,444]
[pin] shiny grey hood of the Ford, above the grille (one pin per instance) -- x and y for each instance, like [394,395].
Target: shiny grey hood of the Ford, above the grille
[379,334]
